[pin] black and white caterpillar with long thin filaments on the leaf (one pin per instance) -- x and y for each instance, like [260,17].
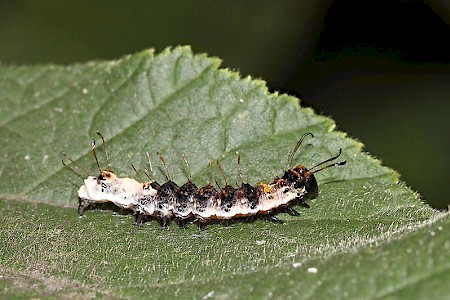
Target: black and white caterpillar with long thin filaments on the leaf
[188,203]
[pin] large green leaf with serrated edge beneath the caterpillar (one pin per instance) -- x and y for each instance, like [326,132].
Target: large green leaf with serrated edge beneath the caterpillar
[364,230]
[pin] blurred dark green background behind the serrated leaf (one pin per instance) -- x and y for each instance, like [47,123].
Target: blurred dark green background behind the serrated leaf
[380,68]
